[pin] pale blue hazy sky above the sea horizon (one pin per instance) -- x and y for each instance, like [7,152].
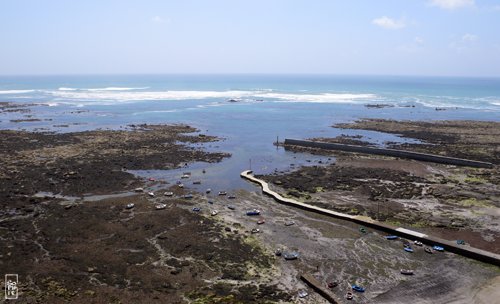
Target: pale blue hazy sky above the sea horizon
[360,37]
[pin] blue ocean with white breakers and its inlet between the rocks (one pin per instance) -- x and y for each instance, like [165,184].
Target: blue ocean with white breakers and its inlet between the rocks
[249,112]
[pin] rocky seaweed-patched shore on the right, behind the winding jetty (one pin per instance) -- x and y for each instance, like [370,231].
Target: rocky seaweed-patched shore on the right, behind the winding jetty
[446,201]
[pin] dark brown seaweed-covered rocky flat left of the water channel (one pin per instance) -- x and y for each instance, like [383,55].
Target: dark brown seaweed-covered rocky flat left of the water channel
[66,248]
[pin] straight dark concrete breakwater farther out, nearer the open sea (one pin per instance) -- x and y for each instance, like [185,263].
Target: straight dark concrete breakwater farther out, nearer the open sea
[389,152]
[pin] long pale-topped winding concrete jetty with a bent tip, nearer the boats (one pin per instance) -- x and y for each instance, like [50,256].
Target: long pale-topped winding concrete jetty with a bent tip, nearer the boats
[451,246]
